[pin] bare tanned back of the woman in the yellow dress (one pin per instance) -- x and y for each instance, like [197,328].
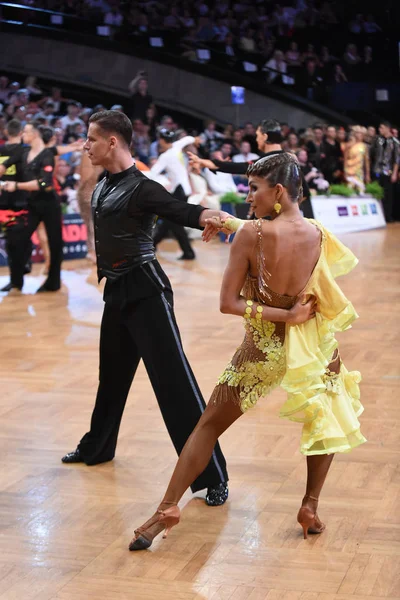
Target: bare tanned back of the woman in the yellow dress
[291,250]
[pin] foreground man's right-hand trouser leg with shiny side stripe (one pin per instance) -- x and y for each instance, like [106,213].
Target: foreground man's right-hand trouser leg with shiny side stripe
[157,336]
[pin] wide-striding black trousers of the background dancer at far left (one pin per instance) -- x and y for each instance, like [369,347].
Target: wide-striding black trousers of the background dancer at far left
[43,207]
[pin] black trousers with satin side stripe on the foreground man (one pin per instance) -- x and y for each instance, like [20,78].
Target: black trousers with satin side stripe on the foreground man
[145,327]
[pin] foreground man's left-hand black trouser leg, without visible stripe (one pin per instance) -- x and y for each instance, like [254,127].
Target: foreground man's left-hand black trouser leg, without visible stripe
[119,359]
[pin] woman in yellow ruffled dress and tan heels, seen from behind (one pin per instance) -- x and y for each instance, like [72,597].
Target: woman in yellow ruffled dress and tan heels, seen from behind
[274,263]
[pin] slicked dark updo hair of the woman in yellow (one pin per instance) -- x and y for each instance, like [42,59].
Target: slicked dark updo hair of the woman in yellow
[280,168]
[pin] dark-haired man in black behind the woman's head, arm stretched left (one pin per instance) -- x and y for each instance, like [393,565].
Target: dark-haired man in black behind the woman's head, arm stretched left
[269,138]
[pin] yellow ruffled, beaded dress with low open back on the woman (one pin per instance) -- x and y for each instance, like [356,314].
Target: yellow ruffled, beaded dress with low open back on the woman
[296,357]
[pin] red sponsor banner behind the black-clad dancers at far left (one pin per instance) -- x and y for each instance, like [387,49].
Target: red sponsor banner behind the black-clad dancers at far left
[74,238]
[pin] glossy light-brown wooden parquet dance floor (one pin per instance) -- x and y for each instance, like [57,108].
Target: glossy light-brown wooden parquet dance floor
[65,530]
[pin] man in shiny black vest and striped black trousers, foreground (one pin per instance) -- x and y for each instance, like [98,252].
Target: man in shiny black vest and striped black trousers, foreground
[138,319]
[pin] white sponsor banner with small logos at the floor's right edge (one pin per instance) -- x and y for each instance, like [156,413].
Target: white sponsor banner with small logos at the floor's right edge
[345,215]
